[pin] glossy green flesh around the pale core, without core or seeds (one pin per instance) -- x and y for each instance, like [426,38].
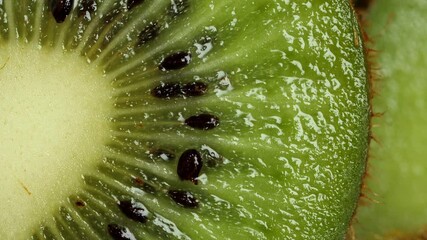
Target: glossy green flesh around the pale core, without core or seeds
[288,82]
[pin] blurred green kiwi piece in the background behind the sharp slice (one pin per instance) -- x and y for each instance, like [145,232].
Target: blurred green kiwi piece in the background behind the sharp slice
[398,203]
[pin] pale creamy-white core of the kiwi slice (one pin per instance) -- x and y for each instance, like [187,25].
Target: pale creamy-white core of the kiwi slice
[53,123]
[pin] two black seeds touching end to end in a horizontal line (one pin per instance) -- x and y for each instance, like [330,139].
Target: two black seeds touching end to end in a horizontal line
[176,89]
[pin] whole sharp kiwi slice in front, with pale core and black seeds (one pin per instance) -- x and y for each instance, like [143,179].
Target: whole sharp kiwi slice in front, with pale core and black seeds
[180,119]
